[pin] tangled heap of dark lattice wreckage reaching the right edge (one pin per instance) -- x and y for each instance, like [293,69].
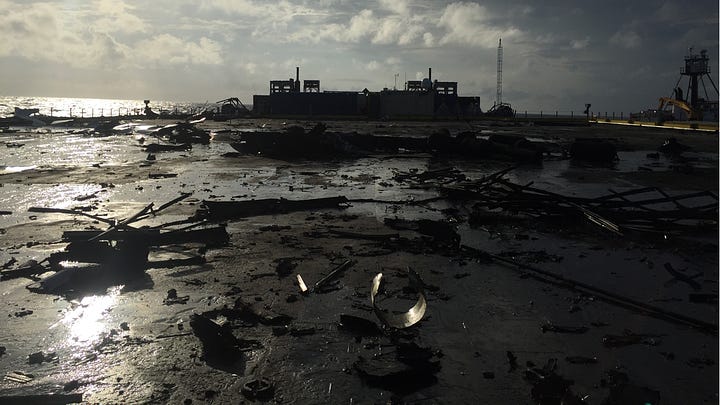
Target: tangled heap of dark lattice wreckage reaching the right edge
[647,210]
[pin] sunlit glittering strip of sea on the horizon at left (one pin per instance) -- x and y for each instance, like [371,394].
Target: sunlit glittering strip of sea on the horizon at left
[94,107]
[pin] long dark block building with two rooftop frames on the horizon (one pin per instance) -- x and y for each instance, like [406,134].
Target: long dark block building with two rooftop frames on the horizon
[419,99]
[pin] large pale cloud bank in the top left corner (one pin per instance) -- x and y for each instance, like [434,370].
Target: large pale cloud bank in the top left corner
[88,37]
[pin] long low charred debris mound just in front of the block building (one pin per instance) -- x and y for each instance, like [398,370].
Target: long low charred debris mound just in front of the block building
[297,143]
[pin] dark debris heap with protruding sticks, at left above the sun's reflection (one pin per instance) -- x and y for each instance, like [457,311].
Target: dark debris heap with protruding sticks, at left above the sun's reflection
[117,253]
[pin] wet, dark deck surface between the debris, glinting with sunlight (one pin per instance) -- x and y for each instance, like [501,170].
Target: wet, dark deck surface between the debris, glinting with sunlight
[117,340]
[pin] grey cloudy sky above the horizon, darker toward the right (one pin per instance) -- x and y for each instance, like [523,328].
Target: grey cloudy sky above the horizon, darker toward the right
[558,55]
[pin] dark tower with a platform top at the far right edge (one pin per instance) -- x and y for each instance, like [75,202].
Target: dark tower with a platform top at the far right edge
[690,104]
